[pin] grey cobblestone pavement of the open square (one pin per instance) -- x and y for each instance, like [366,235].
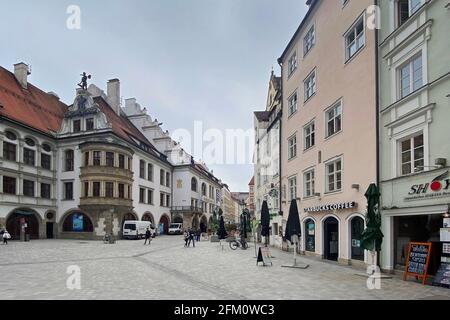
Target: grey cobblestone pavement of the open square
[167,270]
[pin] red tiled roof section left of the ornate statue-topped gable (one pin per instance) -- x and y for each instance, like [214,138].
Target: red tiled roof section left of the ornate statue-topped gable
[32,106]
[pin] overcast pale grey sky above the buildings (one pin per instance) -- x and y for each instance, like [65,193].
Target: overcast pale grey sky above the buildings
[185,60]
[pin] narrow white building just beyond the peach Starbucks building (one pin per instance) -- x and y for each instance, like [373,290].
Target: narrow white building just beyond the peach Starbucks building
[267,159]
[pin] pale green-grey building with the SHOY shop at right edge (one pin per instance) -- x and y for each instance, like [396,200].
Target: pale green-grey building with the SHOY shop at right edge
[414,111]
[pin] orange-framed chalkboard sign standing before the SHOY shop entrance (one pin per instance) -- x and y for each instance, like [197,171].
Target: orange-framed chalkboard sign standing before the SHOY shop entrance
[418,260]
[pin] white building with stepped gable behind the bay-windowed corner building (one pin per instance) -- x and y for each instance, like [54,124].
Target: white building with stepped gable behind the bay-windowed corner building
[197,193]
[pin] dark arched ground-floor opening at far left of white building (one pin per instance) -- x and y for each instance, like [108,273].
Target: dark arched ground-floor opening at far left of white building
[18,216]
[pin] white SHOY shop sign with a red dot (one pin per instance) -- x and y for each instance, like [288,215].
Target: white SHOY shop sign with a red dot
[439,187]
